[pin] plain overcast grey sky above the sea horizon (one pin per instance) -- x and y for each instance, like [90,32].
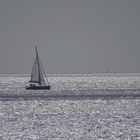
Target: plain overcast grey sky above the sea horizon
[73,36]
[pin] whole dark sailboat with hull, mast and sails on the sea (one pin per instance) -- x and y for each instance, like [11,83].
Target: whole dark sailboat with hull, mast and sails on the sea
[38,79]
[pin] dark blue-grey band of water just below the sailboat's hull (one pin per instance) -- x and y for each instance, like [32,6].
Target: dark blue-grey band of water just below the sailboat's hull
[73,95]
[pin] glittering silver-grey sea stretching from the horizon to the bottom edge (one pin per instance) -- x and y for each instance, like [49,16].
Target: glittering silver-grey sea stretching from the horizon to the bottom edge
[78,107]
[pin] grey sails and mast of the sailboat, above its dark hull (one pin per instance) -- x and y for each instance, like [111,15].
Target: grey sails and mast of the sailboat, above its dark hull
[38,75]
